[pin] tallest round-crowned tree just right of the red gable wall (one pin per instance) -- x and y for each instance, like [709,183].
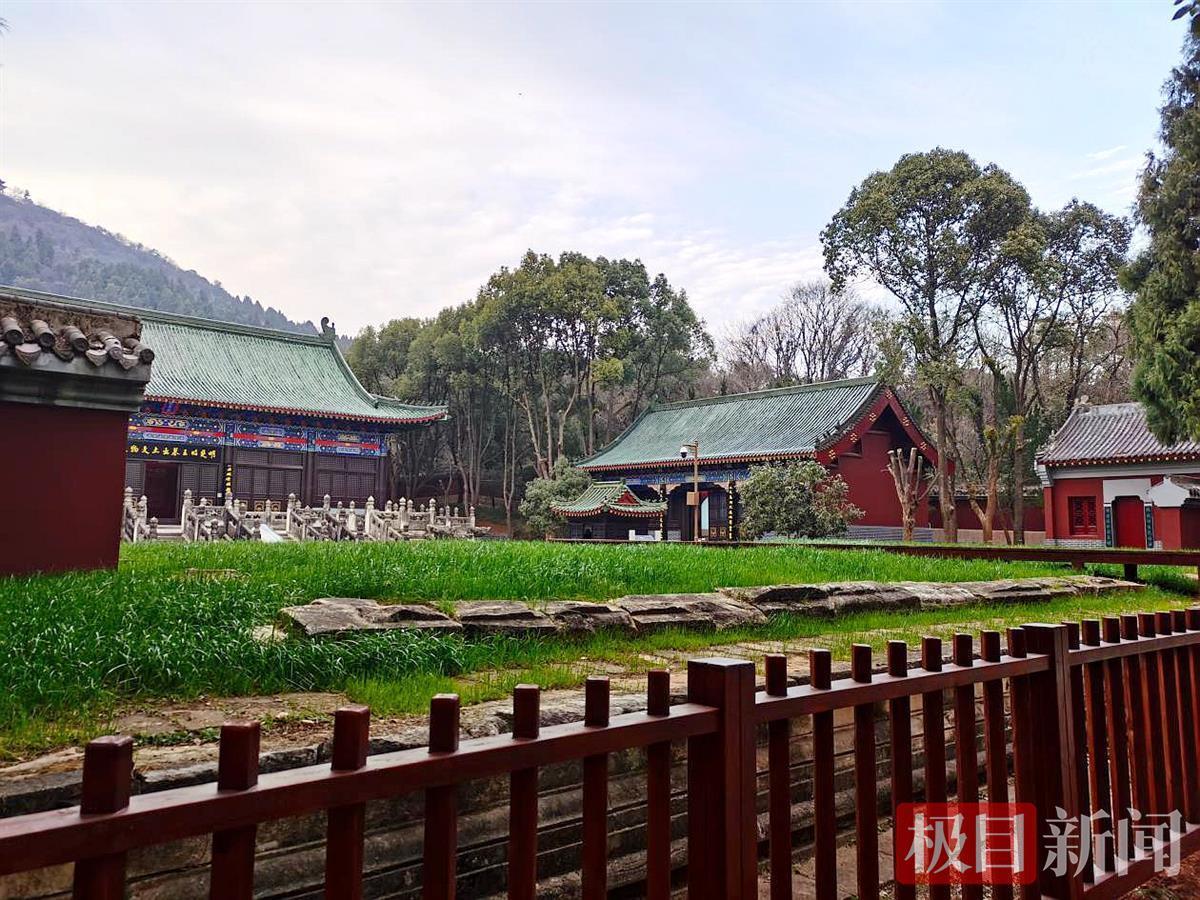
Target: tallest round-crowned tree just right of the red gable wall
[932,231]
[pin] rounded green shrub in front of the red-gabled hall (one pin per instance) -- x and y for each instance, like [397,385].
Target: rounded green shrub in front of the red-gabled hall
[797,500]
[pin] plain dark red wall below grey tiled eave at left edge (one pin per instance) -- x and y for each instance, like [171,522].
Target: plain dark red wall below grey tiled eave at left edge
[67,469]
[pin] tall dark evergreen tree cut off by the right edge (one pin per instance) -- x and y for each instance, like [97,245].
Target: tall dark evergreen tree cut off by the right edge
[1166,316]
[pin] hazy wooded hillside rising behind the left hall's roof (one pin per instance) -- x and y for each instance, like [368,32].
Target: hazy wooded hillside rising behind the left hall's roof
[45,250]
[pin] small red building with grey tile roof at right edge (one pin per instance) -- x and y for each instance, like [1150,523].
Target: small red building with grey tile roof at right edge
[1111,483]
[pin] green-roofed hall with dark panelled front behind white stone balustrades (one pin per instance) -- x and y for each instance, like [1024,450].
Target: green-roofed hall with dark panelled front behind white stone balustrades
[255,412]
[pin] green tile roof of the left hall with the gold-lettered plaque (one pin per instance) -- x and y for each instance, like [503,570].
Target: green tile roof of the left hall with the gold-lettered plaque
[244,368]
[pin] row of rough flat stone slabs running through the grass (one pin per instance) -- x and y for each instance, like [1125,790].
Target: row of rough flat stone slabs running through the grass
[727,608]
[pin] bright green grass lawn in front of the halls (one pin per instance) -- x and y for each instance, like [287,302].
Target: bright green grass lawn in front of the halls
[75,647]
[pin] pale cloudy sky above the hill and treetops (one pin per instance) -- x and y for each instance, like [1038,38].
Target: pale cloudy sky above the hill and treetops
[369,161]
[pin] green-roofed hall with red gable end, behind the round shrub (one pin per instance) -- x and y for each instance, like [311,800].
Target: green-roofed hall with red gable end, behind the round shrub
[848,425]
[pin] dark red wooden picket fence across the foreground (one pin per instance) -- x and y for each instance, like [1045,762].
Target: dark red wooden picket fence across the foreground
[1102,718]
